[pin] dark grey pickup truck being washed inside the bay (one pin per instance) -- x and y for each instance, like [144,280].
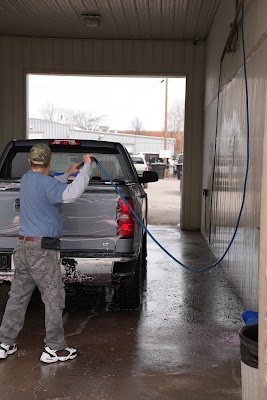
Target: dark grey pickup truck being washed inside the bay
[102,242]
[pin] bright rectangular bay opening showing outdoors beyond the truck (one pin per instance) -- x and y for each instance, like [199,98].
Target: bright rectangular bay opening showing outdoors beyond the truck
[145,114]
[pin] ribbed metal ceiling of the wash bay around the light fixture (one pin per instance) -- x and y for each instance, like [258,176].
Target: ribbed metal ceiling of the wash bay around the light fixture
[120,19]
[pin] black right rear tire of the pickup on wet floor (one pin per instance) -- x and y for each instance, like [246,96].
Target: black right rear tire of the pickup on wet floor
[128,295]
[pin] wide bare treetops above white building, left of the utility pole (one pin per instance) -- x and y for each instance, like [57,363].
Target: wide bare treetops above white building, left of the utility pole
[82,119]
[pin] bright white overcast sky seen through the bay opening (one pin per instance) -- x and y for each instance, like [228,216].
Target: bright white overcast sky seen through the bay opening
[119,99]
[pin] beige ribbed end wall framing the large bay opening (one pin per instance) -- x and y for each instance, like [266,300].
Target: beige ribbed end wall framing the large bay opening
[19,56]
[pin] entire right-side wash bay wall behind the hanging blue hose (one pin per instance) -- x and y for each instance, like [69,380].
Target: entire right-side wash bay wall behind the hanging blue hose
[220,209]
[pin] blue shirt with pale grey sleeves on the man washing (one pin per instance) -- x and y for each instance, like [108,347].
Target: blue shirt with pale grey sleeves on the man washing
[41,197]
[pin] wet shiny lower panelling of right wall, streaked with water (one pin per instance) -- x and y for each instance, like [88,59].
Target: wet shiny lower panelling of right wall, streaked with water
[241,263]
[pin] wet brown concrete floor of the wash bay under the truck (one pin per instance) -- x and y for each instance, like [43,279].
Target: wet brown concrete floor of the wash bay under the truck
[183,344]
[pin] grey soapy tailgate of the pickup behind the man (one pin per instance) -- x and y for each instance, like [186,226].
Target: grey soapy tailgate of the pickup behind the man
[89,223]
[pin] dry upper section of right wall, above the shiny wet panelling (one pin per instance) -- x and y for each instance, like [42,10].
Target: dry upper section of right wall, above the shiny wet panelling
[255,32]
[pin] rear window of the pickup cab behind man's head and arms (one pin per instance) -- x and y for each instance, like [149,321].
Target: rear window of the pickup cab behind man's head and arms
[17,164]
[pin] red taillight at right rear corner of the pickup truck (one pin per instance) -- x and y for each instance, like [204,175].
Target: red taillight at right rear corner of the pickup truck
[126,220]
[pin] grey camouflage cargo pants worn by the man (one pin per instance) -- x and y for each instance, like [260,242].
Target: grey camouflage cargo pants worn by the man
[41,267]
